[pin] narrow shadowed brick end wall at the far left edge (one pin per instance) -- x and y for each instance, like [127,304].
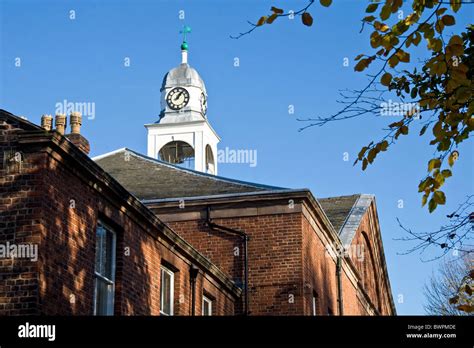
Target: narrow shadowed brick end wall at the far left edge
[20,213]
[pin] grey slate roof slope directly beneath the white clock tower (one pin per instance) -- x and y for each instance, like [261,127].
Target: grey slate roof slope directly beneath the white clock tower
[149,178]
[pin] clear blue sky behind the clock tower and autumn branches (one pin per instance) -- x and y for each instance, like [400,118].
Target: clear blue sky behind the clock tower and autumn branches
[82,60]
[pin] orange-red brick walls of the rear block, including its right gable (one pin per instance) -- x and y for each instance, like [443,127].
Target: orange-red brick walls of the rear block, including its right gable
[288,259]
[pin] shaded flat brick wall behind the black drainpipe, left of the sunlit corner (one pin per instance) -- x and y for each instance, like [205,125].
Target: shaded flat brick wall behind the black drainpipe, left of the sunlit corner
[274,248]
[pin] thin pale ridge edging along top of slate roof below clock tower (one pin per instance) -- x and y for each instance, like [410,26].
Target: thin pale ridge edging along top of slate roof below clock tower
[190,171]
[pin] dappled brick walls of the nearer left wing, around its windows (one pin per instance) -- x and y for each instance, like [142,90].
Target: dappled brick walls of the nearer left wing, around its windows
[50,202]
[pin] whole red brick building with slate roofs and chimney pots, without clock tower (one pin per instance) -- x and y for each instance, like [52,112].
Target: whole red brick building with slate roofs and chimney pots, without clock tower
[127,234]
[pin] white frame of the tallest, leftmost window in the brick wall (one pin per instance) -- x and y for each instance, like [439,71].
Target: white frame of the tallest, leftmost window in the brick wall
[98,276]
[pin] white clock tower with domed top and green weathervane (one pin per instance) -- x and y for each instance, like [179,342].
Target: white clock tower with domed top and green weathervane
[183,135]
